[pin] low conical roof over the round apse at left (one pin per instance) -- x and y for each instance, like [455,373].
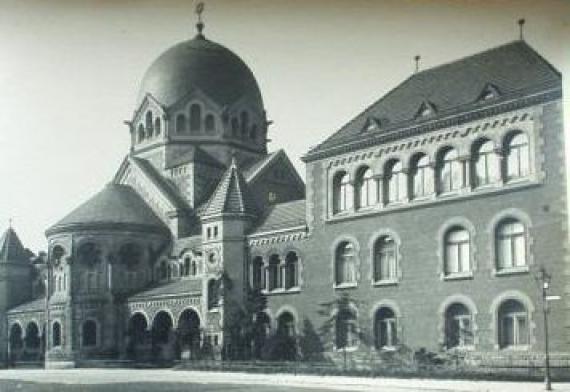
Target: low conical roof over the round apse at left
[116,207]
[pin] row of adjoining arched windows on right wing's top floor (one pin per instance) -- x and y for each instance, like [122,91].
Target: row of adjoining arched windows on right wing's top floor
[486,166]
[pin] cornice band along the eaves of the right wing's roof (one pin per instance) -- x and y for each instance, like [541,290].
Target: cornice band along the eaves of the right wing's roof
[403,131]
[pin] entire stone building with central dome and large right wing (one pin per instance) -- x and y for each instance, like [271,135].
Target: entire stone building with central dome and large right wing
[426,231]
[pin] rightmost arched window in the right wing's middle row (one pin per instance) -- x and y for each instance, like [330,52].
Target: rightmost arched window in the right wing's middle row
[510,244]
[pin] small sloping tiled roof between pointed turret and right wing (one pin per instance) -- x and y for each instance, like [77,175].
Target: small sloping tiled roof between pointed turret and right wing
[283,216]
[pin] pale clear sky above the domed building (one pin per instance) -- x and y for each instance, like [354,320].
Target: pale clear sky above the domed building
[70,70]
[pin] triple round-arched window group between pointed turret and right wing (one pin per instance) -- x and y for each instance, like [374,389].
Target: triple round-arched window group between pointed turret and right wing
[275,273]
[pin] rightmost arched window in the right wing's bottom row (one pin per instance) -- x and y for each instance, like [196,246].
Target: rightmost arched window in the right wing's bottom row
[513,324]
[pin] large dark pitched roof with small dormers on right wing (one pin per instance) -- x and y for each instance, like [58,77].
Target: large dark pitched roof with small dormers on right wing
[513,70]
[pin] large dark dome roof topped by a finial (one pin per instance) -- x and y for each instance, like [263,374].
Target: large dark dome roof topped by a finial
[203,64]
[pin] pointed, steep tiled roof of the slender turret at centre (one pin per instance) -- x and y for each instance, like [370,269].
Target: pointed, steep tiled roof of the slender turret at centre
[231,195]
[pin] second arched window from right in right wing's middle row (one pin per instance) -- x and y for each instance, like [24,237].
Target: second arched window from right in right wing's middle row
[457,251]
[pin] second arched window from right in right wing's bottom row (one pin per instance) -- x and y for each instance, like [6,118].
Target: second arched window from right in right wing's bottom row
[458,326]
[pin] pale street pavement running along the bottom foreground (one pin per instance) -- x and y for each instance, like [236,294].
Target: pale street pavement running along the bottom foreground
[259,382]
